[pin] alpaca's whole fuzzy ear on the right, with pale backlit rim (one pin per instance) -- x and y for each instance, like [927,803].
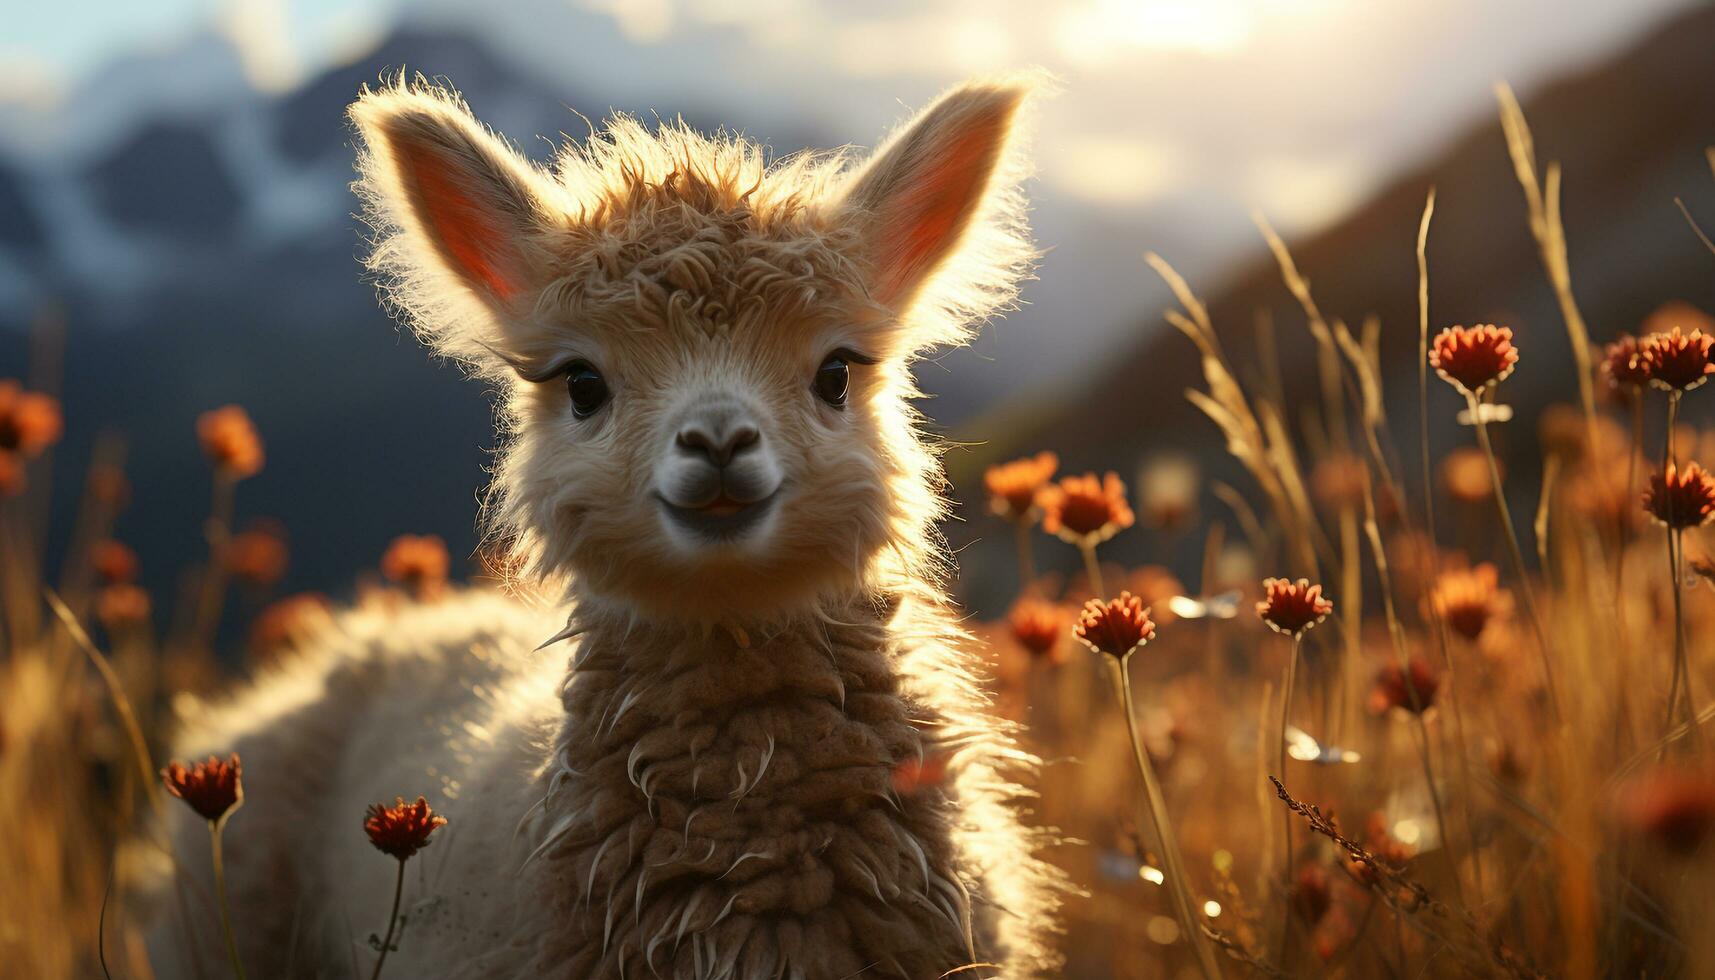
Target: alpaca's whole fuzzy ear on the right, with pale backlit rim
[942,186]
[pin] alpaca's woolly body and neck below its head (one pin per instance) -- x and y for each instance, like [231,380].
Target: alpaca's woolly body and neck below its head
[745,823]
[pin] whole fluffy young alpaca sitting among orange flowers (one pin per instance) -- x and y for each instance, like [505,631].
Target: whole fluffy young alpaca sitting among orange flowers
[713,468]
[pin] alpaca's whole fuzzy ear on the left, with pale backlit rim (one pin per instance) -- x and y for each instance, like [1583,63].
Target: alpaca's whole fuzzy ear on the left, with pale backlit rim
[459,217]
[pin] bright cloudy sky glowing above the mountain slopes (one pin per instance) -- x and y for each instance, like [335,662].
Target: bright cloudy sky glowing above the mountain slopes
[1176,121]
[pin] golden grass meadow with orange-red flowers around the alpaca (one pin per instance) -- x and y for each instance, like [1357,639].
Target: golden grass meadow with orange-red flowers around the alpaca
[1407,732]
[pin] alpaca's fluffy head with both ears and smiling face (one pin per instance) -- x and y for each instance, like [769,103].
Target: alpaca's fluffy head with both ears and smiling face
[706,358]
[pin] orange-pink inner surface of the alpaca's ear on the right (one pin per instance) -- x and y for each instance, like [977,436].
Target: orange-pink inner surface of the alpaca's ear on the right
[925,222]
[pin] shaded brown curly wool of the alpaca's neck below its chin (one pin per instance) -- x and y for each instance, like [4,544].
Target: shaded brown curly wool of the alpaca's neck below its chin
[711,787]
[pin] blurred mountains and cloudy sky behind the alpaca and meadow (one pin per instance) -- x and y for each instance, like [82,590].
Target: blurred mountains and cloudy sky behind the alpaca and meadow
[176,227]
